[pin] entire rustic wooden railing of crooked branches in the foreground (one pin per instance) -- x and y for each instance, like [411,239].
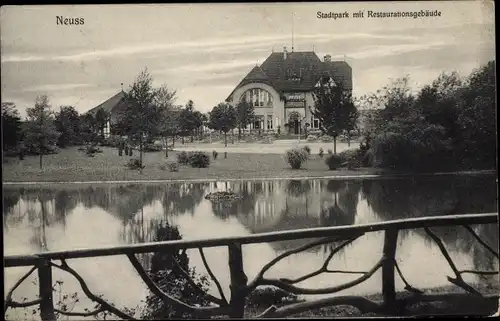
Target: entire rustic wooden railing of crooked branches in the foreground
[241,287]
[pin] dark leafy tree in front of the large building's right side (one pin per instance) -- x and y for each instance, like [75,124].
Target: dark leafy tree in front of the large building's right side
[335,109]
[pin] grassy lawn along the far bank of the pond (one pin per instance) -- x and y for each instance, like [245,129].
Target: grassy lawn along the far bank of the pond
[73,165]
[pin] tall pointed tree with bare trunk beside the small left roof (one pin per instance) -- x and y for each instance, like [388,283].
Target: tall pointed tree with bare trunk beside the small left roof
[141,118]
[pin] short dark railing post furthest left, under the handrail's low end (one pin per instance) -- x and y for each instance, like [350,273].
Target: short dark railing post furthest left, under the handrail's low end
[45,290]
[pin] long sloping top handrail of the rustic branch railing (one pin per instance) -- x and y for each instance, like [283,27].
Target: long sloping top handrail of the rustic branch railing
[340,232]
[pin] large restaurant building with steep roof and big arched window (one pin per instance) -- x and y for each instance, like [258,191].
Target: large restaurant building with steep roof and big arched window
[281,89]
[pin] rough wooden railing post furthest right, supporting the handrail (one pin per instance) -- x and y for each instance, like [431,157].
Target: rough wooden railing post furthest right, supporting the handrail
[388,284]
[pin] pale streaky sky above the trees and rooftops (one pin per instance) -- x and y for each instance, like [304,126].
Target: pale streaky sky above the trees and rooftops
[204,50]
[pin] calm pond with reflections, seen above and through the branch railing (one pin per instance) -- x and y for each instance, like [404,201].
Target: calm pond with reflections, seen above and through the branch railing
[70,216]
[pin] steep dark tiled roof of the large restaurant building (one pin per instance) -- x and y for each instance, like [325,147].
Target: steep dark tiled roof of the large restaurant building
[299,71]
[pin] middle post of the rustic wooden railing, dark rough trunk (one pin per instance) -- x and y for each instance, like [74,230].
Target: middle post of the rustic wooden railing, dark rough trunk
[238,281]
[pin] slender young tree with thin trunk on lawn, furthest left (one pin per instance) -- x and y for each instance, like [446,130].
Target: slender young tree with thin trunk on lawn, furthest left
[40,131]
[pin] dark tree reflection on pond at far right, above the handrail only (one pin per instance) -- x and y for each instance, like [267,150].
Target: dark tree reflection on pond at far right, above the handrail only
[429,196]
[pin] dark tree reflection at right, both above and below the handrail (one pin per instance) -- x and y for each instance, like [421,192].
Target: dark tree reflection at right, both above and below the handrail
[431,196]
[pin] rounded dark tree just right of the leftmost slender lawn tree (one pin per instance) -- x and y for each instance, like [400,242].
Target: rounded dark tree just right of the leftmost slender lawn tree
[67,122]
